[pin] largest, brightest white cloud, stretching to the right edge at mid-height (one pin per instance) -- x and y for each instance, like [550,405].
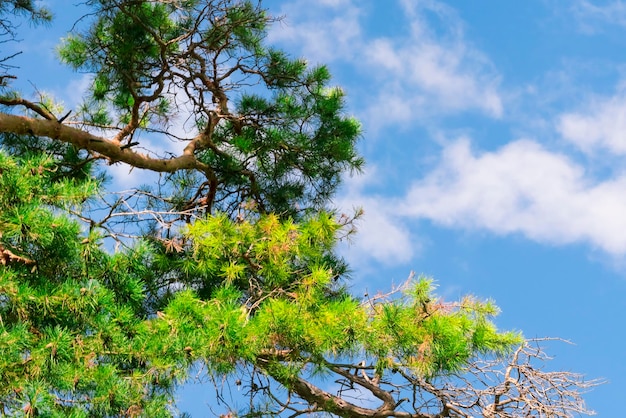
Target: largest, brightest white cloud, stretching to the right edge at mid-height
[521,188]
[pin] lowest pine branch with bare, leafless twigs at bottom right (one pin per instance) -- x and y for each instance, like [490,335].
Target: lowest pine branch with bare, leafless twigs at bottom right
[509,387]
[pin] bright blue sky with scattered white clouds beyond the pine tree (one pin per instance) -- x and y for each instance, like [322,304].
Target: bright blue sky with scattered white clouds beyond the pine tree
[495,136]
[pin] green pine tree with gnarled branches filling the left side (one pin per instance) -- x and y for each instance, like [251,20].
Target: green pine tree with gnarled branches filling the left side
[228,263]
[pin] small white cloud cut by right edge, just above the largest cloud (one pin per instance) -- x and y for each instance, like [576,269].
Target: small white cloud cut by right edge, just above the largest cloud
[601,124]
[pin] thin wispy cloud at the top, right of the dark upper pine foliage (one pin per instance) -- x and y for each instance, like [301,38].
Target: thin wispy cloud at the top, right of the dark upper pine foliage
[417,73]
